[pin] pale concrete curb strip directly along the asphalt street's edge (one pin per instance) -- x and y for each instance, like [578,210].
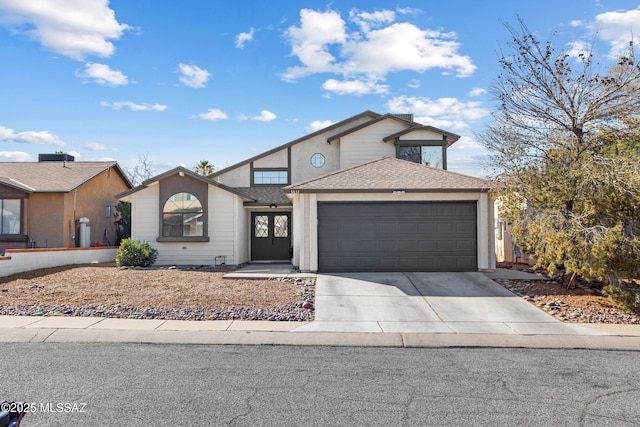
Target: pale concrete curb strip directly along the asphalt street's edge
[342,339]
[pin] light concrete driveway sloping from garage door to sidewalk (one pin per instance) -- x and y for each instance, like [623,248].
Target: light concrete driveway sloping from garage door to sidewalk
[463,303]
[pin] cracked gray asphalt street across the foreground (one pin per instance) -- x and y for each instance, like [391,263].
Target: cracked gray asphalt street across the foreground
[99,384]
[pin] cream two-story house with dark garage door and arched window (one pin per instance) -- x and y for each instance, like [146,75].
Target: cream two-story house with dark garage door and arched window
[355,196]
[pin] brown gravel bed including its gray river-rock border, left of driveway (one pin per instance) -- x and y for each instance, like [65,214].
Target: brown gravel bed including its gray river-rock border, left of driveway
[172,293]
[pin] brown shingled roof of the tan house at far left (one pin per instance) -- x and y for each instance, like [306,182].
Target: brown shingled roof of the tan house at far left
[54,177]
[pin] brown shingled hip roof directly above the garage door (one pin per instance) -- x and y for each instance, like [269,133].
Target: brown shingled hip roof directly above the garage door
[390,174]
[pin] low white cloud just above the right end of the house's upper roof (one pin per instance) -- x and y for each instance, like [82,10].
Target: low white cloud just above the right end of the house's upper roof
[445,113]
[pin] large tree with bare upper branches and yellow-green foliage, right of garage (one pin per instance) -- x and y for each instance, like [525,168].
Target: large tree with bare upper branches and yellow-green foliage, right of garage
[565,144]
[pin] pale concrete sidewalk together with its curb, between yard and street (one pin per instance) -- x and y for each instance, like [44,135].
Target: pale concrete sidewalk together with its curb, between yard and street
[31,329]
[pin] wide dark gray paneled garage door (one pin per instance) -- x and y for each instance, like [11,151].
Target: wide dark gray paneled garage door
[421,236]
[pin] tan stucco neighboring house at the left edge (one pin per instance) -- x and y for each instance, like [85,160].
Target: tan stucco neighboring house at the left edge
[42,203]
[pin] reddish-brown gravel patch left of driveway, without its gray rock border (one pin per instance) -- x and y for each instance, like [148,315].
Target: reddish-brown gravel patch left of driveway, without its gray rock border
[159,287]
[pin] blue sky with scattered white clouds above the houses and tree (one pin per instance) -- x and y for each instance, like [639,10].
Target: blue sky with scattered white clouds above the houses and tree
[184,81]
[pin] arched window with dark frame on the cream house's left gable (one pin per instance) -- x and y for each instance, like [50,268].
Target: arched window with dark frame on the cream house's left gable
[182,216]
